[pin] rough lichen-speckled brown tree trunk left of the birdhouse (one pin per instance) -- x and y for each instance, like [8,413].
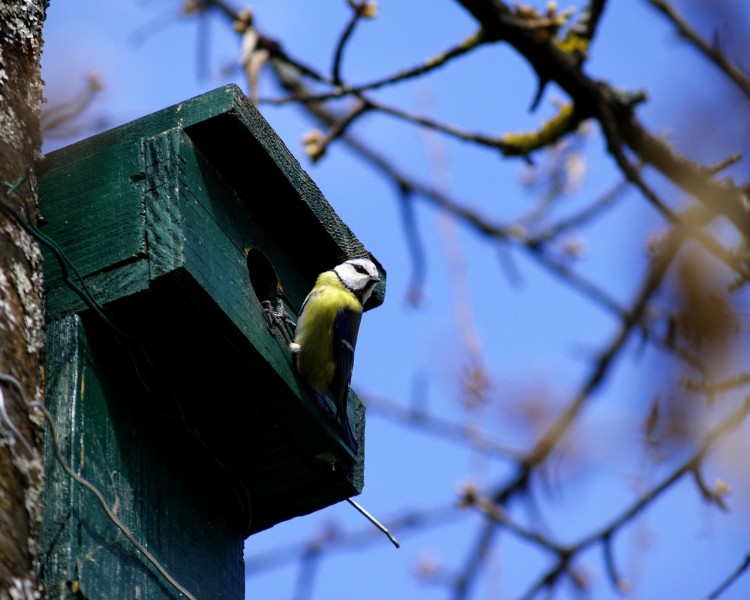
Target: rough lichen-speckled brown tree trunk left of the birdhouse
[21,299]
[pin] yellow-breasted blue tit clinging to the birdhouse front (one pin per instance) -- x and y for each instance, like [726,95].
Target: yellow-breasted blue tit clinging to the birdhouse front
[326,332]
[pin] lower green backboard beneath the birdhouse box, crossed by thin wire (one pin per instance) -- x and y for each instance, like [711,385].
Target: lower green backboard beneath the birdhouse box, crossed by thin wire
[155,476]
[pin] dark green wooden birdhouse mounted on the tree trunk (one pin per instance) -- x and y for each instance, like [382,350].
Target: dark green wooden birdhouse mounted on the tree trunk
[171,391]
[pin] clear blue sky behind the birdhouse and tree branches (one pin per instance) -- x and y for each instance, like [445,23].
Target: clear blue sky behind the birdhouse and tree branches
[536,337]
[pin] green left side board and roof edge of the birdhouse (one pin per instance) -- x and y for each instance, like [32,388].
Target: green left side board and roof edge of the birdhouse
[92,191]
